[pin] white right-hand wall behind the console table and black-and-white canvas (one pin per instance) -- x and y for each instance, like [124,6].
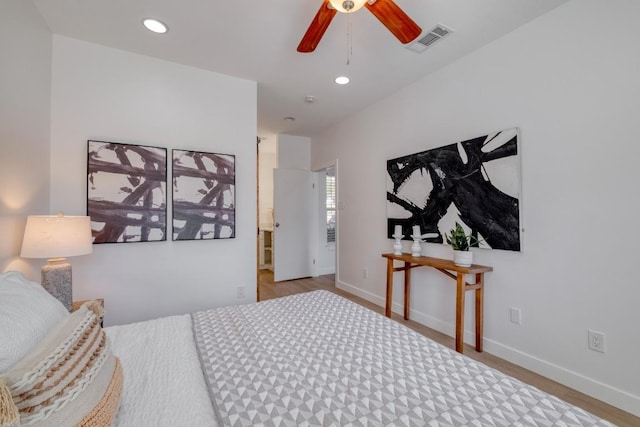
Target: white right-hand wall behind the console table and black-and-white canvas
[575,94]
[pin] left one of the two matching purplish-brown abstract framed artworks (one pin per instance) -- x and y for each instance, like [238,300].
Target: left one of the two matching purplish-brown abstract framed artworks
[126,192]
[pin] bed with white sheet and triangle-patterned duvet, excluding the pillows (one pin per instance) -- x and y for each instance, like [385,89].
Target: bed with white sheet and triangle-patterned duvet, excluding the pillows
[313,359]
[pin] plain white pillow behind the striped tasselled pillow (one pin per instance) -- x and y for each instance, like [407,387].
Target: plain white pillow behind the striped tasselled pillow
[27,313]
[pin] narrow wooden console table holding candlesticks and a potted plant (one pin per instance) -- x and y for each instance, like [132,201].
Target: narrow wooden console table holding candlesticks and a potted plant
[448,268]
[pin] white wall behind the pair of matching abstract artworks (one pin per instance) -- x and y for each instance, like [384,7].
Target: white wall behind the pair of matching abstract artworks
[111,95]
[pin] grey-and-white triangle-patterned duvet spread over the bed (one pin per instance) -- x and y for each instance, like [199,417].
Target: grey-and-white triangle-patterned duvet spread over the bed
[318,359]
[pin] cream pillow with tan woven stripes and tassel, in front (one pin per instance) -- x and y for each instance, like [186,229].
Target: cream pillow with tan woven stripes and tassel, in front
[71,378]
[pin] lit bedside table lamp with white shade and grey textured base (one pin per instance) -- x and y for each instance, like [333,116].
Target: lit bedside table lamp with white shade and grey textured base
[55,237]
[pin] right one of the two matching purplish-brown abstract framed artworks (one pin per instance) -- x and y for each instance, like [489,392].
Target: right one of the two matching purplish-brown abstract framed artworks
[203,195]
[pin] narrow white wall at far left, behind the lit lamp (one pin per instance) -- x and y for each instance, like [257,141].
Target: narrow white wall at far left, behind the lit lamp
[25,94]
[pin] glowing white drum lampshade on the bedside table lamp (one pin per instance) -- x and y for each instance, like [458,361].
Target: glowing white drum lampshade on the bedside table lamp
[56,236]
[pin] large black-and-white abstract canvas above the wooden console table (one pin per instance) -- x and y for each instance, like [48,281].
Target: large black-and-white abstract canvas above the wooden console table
[476,182]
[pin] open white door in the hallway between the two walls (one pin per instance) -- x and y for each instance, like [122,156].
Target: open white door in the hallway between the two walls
[292,201]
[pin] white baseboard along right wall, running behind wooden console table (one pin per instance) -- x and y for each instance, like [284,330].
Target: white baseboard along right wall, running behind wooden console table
[604,392]
